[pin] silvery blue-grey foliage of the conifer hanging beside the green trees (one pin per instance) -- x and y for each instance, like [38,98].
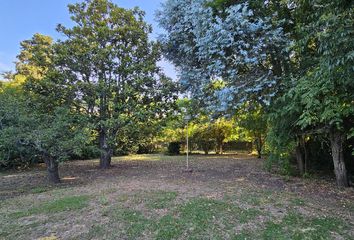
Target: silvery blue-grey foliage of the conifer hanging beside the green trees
[232,45]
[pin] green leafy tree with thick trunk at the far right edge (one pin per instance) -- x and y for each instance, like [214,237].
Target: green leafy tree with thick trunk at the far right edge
[326,87]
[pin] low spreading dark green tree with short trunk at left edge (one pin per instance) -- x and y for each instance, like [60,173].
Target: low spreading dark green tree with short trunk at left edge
[28,132]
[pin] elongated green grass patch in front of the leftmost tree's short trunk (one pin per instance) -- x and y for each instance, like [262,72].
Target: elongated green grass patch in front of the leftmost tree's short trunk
[64,204]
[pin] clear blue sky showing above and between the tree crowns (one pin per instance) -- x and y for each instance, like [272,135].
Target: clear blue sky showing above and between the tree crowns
[20,19]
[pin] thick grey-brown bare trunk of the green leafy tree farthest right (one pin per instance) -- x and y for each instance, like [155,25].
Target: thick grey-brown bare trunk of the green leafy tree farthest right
[337,139]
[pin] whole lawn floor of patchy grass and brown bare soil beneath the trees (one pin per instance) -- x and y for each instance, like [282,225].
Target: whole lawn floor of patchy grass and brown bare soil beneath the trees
[152,197]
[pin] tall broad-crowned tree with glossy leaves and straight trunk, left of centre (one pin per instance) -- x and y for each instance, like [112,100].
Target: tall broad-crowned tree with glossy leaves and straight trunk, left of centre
[111,64]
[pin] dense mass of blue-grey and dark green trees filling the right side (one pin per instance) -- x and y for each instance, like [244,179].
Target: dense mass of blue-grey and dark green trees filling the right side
[291,59]
